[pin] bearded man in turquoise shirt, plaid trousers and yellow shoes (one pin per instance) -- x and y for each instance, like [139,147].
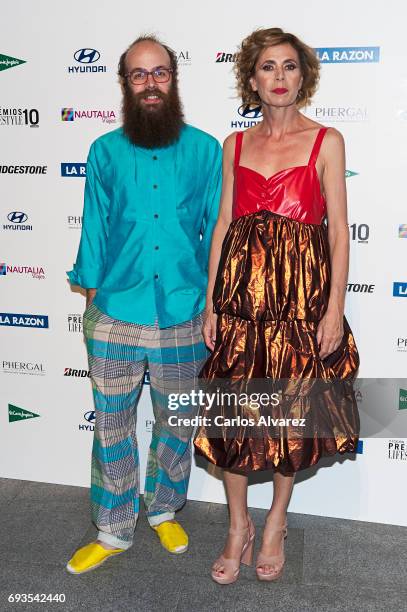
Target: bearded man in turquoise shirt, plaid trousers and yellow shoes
[151,202]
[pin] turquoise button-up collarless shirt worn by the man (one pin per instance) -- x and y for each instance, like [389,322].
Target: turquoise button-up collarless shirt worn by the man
[147,225]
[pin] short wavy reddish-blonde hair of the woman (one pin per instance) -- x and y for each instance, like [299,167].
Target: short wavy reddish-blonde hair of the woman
[249,53]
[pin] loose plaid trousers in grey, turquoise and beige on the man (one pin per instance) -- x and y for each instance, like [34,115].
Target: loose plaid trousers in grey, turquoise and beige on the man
[119,352]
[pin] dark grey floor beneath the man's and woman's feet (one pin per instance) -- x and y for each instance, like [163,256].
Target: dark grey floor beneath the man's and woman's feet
[332,565]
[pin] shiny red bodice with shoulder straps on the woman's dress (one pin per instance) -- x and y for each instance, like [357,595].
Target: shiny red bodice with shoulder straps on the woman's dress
[293,192]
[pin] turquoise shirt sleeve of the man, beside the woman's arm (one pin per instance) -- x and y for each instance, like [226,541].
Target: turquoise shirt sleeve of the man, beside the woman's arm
[212,201]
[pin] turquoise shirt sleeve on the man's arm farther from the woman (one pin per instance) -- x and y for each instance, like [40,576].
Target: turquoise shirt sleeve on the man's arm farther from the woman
[88,270]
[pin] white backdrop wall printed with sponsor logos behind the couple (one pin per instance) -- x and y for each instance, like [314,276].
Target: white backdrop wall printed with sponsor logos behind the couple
[59,91]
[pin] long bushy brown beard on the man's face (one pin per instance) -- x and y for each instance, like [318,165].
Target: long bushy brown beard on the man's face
[156,126]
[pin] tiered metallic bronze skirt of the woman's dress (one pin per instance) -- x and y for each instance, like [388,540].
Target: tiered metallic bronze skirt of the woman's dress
[271,291]
